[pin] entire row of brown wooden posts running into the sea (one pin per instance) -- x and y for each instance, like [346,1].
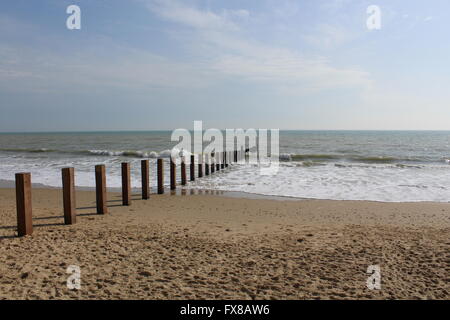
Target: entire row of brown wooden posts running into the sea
[217,162]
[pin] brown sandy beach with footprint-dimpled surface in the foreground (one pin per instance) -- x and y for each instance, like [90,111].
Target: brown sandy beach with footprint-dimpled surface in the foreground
[207,246]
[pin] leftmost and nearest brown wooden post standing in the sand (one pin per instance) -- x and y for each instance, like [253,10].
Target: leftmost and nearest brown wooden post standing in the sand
[23,202]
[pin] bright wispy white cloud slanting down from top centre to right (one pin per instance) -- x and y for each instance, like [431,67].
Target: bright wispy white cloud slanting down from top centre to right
[245,59]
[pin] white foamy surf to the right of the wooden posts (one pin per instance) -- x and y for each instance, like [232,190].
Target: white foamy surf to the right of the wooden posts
[375,182]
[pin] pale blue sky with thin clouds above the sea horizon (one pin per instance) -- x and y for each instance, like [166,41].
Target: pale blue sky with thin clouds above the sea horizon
[275,64]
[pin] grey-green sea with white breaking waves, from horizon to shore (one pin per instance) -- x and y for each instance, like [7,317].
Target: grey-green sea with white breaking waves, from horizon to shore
[389,166]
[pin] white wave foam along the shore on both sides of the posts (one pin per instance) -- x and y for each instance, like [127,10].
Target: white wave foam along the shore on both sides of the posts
[349,181]
